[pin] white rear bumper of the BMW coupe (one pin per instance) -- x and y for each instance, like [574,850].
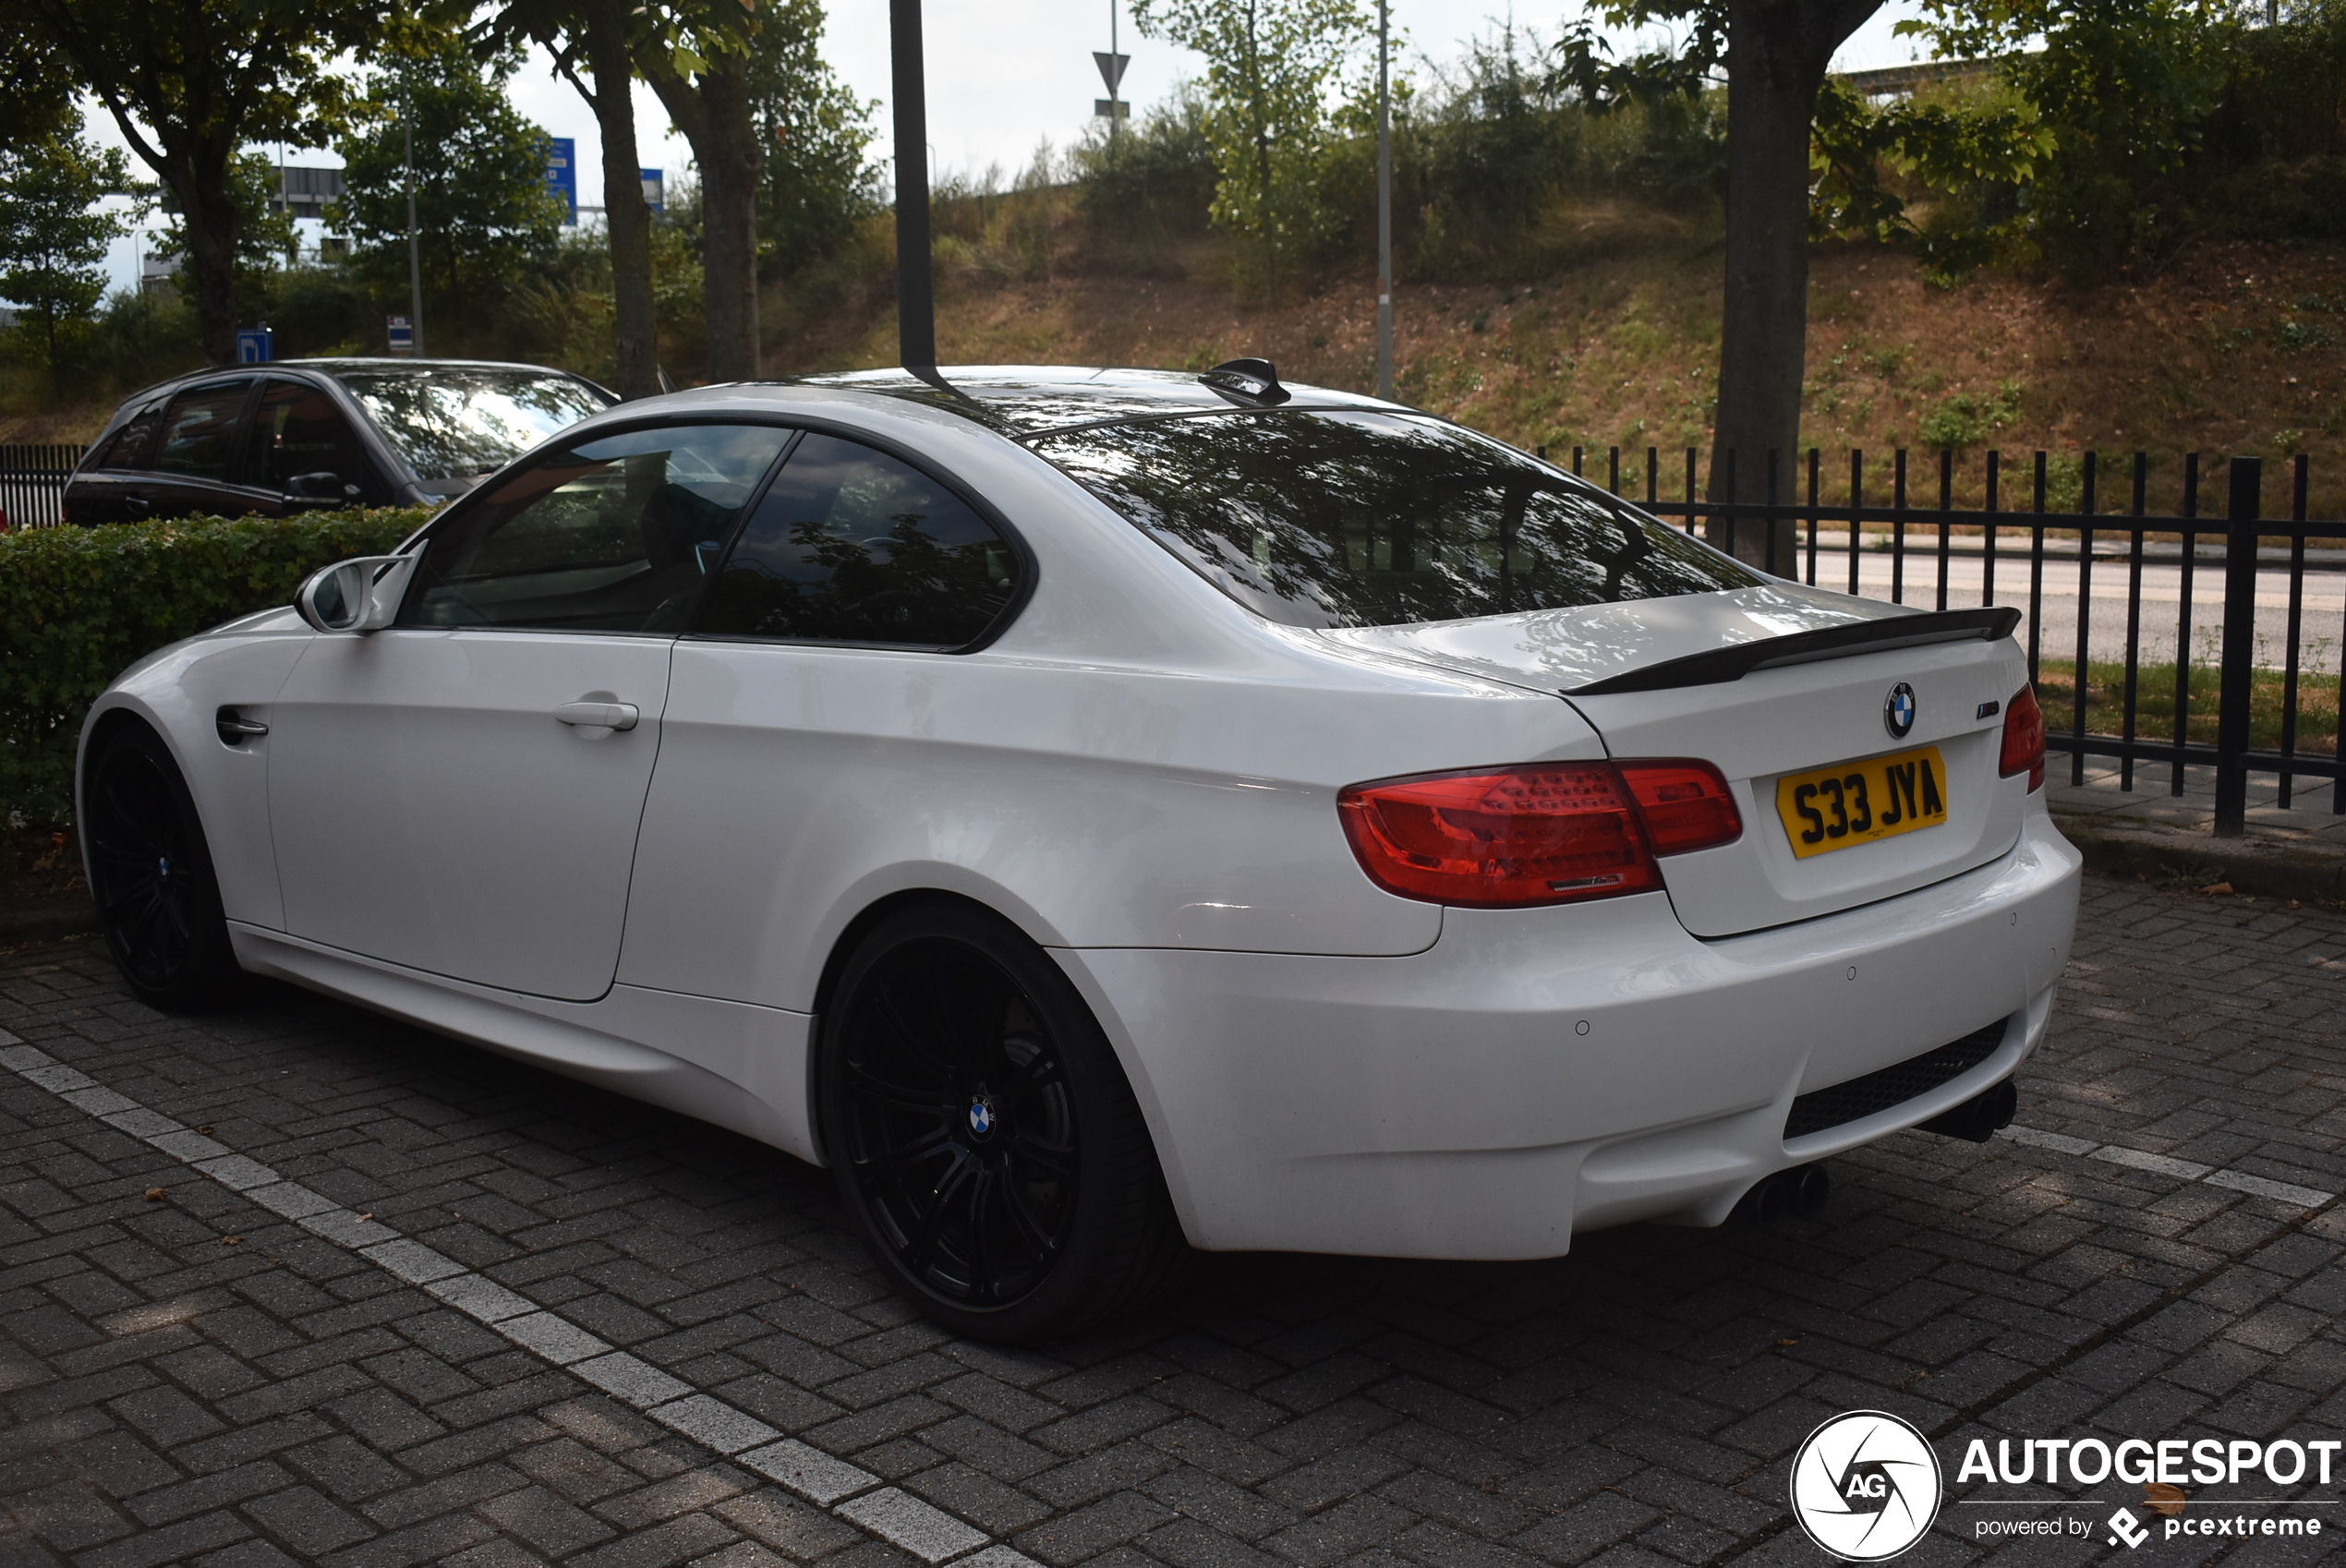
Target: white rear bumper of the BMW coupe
[1542,1072]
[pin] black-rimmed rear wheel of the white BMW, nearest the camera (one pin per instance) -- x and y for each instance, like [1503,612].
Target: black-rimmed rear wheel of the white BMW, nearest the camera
[984,1136]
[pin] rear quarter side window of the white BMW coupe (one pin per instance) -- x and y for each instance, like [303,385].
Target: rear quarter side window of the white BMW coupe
[857,547]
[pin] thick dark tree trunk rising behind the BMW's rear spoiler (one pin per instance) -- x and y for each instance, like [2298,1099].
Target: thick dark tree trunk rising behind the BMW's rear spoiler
[1777,55]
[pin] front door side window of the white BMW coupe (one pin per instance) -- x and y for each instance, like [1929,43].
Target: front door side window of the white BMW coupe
[604,536]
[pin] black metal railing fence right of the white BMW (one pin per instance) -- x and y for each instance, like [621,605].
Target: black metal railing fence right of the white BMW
[1831,545]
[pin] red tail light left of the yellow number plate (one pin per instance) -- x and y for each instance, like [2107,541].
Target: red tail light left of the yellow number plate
[1535,836]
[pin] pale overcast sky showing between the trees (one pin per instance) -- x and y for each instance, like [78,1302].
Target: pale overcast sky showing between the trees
[1008,74]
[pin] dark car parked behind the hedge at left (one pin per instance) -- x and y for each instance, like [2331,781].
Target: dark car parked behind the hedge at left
[320,432]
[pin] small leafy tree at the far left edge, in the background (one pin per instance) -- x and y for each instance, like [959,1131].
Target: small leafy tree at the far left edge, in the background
[55,231]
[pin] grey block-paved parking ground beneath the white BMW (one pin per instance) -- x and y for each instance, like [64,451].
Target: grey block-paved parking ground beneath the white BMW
[191,1379]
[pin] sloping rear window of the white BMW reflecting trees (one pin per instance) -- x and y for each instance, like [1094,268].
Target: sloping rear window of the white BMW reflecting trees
[1367,519]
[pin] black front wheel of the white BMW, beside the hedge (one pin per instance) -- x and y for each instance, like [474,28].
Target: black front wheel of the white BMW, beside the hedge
[151,873]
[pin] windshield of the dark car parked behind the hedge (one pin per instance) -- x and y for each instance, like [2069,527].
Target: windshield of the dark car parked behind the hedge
[456,423]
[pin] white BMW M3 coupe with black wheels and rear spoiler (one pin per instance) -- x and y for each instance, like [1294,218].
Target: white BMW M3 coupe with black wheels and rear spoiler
[1104,814]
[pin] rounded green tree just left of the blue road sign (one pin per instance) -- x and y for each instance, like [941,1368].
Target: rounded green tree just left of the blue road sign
[482,200]
